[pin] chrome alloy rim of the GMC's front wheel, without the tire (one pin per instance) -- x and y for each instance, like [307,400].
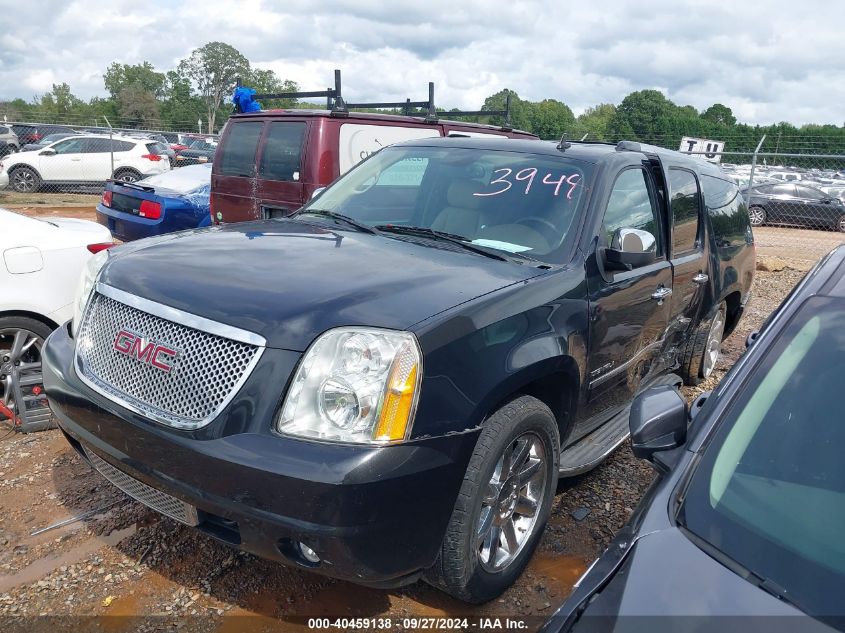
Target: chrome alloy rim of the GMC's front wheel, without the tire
[511,502]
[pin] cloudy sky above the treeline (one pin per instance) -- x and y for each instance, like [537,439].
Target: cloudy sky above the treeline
[769,61]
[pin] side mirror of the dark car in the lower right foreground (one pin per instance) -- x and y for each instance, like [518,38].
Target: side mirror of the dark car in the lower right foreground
[658,421]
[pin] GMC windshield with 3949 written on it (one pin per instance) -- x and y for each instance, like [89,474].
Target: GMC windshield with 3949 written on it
[510,201]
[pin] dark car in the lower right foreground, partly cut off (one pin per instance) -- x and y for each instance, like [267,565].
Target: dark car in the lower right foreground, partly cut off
[748,516]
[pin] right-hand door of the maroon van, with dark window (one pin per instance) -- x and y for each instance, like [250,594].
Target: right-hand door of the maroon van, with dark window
[281,182]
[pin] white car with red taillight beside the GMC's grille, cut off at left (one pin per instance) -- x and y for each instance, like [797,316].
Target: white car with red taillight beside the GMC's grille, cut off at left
[41,263]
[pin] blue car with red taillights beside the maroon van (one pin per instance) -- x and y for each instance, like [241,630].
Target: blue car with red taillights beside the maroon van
[172,201]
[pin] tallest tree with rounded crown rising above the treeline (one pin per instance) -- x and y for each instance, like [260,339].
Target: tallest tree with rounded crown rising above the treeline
[213,69]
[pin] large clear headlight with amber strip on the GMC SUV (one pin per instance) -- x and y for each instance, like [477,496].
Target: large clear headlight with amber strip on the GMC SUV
[355,385]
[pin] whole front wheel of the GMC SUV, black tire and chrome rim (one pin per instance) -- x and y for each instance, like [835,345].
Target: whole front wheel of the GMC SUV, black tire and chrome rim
[476,563]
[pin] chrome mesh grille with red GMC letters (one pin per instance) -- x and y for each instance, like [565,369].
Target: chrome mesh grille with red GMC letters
[205,373]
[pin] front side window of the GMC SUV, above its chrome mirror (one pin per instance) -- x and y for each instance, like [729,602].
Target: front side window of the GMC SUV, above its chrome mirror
[631,206]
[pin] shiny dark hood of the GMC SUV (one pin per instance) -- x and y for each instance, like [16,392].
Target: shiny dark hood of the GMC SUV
[289,281]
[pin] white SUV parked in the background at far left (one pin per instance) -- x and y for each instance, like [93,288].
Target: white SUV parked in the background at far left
[84,160]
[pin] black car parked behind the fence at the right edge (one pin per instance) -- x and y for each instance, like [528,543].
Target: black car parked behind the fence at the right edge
[795,204]
